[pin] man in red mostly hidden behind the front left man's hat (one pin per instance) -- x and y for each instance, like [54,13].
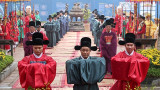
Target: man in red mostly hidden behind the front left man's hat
[38,26]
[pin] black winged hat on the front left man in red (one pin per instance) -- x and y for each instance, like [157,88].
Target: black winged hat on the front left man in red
[37,39]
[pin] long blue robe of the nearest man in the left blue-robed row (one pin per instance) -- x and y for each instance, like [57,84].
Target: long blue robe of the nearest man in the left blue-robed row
[50,32]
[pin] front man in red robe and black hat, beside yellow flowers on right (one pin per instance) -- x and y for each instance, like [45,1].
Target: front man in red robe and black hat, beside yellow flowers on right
[128,67]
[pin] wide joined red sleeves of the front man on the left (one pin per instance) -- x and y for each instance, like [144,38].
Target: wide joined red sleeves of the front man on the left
[36,75]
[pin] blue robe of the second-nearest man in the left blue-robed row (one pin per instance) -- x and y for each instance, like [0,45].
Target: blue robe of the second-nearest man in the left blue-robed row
[57,29]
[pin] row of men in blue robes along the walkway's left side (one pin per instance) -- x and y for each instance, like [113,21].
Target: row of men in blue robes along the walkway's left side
[56,27]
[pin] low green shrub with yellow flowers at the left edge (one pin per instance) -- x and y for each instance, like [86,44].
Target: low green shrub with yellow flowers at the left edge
[4,63]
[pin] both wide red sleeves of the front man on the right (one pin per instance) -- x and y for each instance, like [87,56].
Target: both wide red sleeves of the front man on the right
[129,68]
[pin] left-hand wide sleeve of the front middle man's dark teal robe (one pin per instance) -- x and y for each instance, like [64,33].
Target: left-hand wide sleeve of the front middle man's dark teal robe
[73,72]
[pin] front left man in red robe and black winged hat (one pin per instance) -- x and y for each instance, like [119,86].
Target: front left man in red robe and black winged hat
[37,70]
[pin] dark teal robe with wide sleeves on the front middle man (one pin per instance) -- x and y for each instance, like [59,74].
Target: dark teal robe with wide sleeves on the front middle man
[85,73]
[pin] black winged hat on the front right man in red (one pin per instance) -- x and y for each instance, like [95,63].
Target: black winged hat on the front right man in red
[129,38]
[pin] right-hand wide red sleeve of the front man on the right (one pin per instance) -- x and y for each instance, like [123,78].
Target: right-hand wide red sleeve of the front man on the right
[138,68]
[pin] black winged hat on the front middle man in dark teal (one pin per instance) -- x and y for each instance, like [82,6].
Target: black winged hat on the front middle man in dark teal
[85,42]
